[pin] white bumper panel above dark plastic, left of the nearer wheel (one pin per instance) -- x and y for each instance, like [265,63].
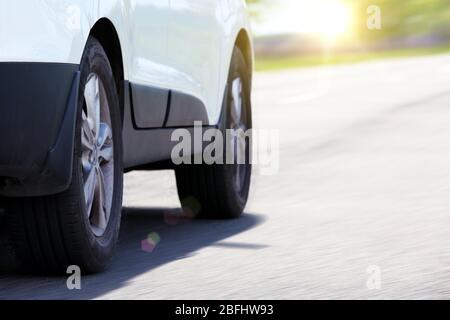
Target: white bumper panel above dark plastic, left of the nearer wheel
[44,30]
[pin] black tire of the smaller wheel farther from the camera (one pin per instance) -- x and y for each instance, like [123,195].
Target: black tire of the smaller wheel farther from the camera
[211,191]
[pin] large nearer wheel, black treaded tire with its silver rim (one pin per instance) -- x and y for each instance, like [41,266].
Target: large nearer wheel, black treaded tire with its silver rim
[53,232]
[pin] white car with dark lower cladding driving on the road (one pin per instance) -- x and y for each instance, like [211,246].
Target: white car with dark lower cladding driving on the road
[91,89]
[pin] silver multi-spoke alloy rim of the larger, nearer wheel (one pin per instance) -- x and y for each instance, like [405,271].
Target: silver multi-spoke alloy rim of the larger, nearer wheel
[97,159]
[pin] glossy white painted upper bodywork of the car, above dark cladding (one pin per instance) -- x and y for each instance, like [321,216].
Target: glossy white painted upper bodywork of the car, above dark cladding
[184,45]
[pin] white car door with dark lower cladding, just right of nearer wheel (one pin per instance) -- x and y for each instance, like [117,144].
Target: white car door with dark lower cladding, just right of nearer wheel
[148,23]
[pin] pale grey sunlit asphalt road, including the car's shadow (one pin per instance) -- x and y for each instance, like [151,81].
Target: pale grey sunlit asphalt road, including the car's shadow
[363,185]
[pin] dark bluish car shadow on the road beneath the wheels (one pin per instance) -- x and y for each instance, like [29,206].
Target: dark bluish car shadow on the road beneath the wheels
[150,238]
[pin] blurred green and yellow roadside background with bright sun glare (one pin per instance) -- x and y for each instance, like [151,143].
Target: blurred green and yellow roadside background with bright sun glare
[292,33]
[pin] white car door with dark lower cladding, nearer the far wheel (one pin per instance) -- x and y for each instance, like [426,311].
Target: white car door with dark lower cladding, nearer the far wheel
[194,59]
